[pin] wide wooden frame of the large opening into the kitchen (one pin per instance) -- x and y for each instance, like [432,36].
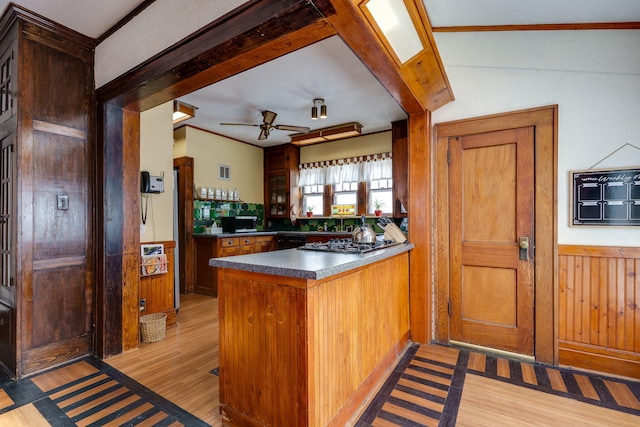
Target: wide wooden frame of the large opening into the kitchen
[248,36]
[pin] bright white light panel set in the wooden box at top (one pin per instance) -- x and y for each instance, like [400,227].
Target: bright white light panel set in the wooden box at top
[394,21]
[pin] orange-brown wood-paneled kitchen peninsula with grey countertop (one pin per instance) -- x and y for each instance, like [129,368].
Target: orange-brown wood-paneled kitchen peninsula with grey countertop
[305,336]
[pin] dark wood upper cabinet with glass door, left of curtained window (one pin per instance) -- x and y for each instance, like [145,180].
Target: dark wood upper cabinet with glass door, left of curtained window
[281,191]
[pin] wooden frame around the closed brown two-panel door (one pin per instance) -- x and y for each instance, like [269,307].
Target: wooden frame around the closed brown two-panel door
[545,122]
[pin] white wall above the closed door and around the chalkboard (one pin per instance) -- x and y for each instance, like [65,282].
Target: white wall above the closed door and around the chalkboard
[593,76]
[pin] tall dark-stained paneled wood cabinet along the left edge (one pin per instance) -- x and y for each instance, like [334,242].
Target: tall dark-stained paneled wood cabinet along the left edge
[46,201]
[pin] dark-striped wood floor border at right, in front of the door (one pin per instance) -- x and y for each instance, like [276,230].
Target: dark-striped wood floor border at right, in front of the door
[430,385]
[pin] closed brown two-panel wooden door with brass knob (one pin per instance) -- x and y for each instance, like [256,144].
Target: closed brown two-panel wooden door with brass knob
[491,182]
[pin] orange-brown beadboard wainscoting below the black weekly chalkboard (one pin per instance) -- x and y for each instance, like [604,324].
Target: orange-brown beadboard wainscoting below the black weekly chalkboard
[599,308]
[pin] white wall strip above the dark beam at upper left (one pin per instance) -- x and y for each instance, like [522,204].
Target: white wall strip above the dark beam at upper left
[159,26]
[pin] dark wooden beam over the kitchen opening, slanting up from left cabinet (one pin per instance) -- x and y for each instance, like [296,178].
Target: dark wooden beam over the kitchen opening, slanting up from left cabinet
[245,38]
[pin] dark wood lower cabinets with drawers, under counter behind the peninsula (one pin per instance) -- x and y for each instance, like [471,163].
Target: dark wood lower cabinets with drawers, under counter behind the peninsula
[207,247]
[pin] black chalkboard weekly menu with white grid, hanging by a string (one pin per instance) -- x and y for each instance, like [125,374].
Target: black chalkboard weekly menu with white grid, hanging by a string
[606,197]
